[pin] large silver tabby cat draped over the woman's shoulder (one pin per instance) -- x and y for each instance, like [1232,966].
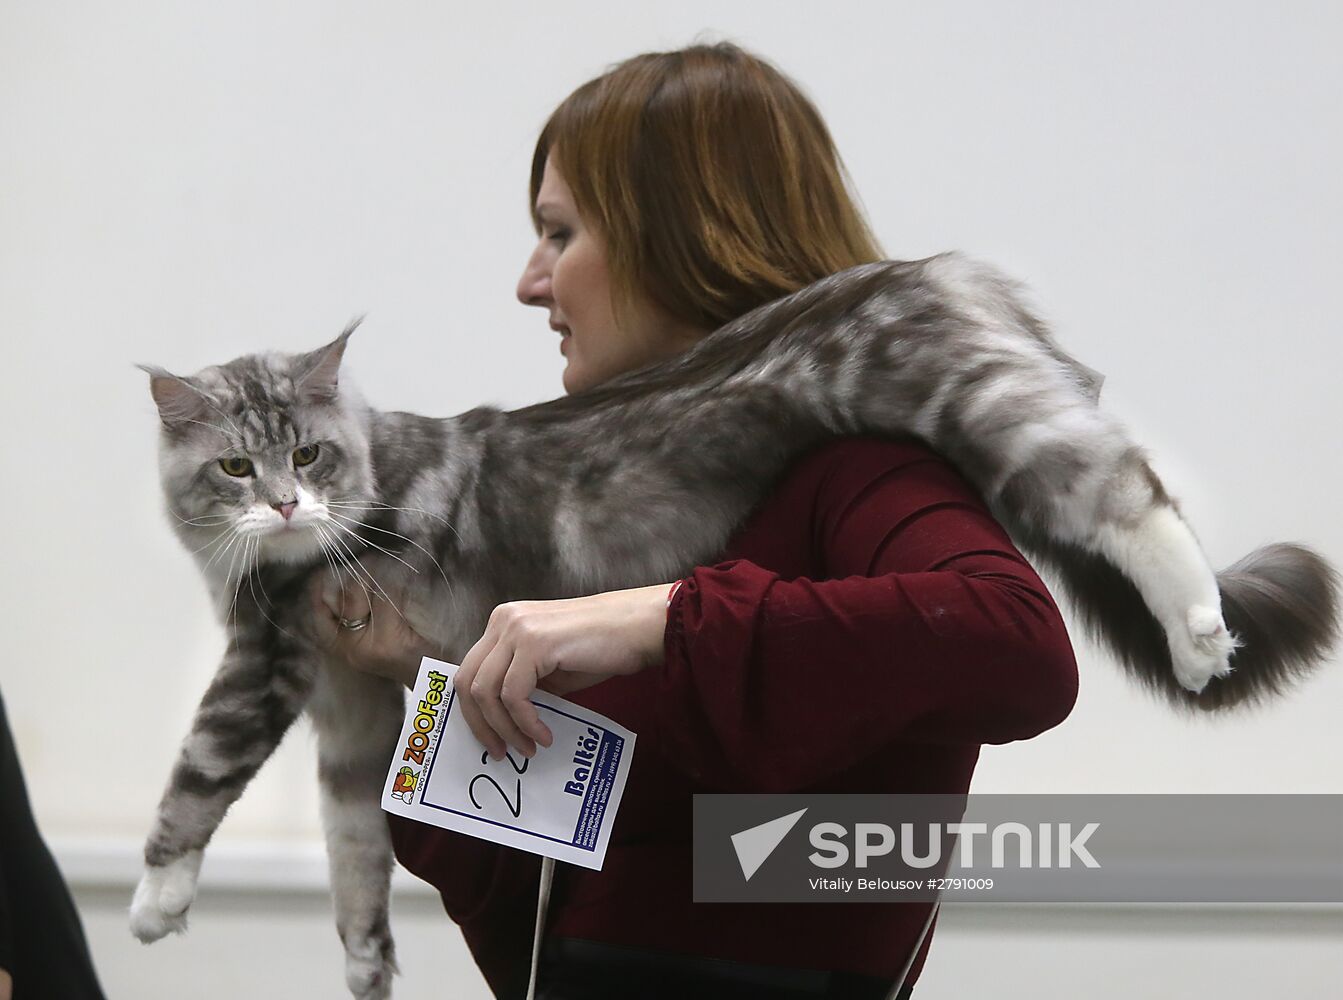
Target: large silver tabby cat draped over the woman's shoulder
[273,469]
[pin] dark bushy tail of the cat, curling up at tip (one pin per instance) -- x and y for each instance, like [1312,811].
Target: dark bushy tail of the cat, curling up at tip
[1282,602]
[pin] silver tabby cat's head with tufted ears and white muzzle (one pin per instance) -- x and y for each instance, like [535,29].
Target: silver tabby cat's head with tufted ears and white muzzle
[259,456]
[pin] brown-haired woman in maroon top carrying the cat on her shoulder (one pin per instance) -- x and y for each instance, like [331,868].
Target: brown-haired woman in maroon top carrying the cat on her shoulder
[874,595]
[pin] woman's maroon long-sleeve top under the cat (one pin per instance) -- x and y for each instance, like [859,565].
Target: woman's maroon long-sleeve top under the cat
[870,628]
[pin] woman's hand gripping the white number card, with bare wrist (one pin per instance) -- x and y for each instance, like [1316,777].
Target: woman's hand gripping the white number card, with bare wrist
[559,646]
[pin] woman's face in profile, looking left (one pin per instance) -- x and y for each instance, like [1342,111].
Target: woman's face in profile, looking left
[567,276]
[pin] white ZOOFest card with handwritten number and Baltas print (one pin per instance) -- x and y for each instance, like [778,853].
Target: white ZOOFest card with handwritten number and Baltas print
[559,803]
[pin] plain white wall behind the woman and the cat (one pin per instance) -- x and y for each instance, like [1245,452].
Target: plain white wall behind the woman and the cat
[182,183]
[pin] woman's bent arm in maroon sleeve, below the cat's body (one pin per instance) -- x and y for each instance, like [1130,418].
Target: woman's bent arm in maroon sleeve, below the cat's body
[937,630]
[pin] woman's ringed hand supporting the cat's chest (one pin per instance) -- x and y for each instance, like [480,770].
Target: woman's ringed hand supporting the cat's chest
[363,632]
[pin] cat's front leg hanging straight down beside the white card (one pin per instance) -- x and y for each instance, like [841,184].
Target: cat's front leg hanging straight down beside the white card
[358,719]
